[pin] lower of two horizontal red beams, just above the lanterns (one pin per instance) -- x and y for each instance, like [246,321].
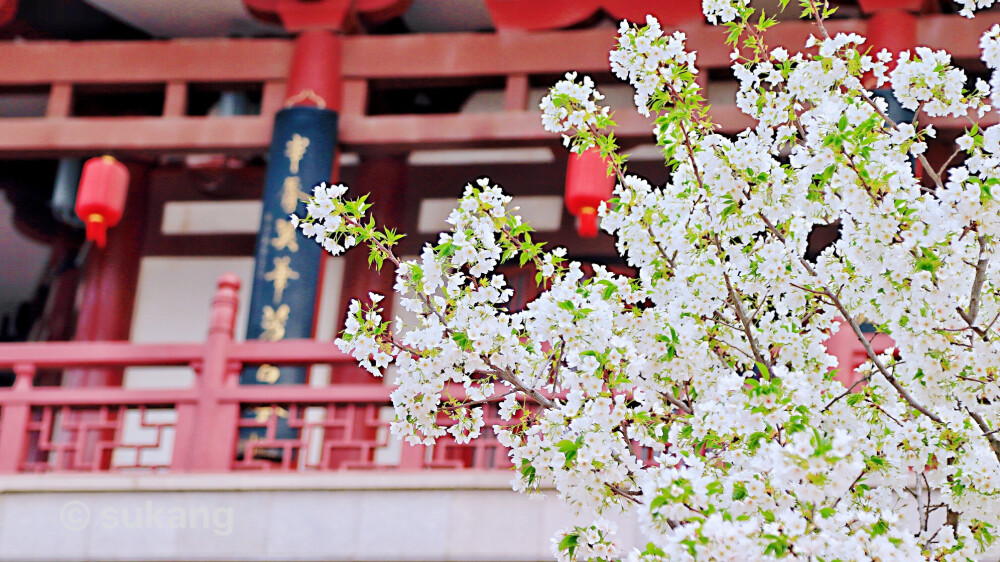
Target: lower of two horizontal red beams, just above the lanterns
[36,138]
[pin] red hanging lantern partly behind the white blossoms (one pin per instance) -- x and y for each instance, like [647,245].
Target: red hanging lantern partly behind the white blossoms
[587,185]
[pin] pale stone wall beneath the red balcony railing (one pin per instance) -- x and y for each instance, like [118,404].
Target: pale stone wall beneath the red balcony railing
[334,516]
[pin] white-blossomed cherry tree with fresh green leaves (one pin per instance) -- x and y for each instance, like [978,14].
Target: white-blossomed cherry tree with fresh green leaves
[712,356]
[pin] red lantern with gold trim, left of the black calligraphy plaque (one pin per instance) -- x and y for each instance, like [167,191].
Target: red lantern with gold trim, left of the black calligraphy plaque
[101,197]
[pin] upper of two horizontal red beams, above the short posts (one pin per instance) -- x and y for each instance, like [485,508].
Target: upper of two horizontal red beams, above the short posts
[404,56]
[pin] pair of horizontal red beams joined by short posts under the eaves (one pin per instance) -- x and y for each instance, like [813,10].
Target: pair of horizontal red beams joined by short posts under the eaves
[429,57]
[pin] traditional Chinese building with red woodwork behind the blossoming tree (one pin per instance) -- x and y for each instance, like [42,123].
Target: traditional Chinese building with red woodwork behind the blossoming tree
[174,394]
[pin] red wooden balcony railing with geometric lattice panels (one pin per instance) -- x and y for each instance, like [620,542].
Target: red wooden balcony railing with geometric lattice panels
[195,429]
